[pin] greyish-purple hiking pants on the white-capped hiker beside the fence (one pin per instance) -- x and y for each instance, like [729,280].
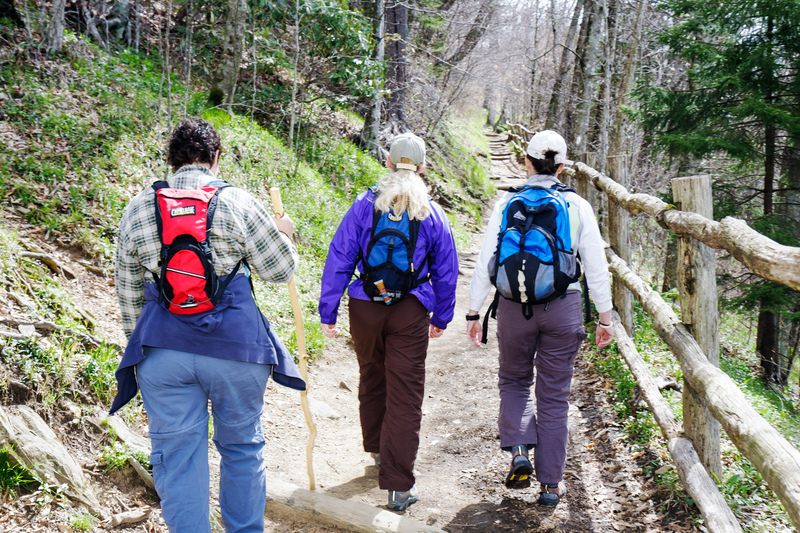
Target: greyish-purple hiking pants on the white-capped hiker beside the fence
[548,341]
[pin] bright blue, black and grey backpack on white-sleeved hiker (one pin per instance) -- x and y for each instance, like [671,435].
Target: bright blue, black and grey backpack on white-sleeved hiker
[534,262]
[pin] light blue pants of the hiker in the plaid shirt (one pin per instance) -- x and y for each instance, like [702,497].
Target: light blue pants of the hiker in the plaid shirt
[176,387]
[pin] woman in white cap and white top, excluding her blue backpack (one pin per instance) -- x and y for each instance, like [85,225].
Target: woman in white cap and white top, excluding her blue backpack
[549,340]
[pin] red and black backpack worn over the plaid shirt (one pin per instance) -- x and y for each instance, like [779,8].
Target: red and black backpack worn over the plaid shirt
[188,283]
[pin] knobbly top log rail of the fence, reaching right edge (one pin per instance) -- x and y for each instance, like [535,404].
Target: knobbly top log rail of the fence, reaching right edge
[761,255]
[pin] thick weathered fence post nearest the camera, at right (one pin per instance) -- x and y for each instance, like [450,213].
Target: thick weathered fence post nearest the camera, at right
[697,285]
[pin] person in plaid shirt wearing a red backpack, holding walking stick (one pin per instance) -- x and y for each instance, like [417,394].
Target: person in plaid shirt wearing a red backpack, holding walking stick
[185,253]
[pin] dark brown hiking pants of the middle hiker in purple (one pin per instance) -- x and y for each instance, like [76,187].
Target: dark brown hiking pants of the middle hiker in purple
[391,343]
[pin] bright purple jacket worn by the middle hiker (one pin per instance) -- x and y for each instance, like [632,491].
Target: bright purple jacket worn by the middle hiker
[435,236]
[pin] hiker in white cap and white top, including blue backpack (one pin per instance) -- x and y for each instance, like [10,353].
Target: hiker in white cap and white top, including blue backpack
[534,239]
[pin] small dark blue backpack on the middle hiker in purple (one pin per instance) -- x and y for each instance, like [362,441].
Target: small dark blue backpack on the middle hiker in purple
[387,267]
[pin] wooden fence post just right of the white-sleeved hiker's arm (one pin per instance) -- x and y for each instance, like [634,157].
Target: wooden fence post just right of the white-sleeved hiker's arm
[619,239]
